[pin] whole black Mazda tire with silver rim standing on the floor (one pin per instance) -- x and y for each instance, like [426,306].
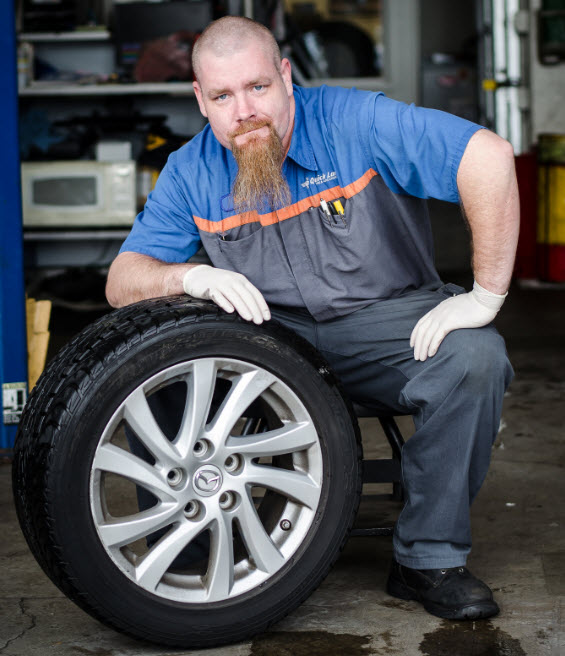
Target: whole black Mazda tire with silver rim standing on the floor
[253,478]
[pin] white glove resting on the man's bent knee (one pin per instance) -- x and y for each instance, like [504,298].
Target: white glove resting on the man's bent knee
[472,310]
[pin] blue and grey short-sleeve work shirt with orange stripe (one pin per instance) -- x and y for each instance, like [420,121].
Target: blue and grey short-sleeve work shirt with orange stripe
[361,152]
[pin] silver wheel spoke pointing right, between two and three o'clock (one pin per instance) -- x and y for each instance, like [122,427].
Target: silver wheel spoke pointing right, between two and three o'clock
[289,438]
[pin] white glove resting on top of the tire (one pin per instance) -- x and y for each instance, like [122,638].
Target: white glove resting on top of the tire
[230,290]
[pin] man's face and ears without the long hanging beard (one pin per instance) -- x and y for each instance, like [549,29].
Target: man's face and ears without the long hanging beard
[245,88]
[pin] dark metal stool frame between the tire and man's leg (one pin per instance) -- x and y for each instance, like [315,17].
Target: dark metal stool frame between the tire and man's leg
[383,470]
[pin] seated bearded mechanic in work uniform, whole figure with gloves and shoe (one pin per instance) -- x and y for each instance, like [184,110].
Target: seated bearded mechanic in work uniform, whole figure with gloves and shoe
[309,205]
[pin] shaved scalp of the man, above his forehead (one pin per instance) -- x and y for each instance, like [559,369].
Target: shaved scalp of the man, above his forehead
[231,34]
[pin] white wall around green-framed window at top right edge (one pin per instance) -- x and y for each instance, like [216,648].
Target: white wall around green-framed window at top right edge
[547,87]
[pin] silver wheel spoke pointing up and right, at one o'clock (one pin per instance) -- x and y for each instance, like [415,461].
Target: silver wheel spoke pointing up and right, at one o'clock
[243,392]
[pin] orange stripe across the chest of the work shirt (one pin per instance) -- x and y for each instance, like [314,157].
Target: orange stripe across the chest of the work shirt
[286,212]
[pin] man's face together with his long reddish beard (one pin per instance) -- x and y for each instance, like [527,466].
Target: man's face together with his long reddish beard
[250,106]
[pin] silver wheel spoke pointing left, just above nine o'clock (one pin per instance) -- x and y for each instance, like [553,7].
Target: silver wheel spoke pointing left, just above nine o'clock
[112,459]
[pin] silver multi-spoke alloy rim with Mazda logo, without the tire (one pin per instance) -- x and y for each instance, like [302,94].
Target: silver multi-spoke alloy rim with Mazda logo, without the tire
[255,495]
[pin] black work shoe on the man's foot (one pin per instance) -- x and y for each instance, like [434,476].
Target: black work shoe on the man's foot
[453,593]
